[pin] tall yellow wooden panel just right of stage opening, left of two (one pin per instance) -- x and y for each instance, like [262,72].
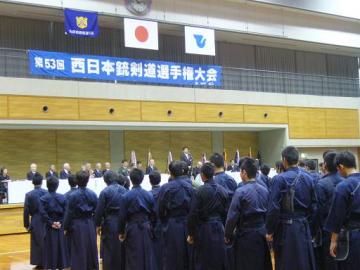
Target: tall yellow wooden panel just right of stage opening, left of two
[307,123]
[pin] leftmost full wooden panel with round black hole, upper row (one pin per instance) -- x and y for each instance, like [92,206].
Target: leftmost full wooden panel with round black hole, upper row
[32,108]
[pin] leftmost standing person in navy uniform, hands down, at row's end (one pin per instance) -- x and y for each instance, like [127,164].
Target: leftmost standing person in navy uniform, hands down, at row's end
[33,221]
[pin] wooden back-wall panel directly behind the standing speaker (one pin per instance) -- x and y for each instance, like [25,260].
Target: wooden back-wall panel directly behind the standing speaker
[199,142]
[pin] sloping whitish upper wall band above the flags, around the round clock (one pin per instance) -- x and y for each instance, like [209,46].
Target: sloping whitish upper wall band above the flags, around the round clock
[244,17]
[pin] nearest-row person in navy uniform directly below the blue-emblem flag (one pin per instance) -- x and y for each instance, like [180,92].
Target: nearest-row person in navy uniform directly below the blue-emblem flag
[206,222]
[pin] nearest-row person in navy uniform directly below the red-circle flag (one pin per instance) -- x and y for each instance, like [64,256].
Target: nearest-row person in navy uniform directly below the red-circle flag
[136,222]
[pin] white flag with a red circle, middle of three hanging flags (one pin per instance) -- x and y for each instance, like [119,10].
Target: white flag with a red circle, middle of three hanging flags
[141,34]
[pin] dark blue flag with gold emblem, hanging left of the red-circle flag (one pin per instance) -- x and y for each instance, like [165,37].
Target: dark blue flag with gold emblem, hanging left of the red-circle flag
[81,23]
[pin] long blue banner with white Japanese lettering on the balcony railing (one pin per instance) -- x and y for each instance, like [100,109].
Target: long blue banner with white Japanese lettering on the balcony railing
[54,64]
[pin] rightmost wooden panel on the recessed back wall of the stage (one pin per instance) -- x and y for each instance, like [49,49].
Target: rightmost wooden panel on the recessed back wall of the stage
[242,141]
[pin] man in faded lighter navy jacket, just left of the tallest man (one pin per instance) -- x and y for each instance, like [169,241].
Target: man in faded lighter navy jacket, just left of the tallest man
[247,215]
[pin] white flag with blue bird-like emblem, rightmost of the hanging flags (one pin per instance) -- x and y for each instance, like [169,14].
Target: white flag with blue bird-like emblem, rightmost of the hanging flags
[199,40]
